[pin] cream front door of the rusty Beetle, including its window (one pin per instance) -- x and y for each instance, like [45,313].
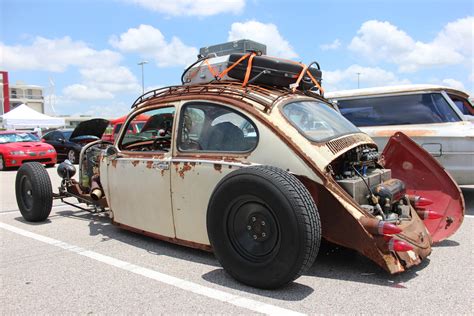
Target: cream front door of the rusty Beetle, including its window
[138,176]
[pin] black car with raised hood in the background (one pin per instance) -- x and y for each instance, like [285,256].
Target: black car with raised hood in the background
[68,142]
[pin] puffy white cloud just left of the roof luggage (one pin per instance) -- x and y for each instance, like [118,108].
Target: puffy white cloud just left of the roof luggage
[149,42]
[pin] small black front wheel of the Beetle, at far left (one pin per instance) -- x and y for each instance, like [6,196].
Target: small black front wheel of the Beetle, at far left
[34,193]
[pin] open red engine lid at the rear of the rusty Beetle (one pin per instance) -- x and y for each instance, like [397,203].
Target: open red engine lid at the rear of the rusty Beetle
[425,177]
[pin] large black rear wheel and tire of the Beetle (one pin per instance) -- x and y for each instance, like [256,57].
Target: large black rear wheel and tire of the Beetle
[263,226]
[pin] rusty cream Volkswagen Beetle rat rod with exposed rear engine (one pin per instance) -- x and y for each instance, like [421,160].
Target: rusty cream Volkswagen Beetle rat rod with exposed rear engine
[258,175]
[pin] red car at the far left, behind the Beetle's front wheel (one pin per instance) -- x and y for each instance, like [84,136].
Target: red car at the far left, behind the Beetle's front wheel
[19,147]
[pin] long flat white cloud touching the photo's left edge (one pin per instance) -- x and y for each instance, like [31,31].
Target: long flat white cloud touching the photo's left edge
[55,55]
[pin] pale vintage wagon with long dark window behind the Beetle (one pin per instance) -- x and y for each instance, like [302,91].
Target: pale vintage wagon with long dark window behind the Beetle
[428,114]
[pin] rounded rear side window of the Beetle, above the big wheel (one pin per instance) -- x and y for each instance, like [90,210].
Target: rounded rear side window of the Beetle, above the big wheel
[215,128]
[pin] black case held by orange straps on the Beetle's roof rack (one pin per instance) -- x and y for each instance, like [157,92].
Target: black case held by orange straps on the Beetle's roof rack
[279,72]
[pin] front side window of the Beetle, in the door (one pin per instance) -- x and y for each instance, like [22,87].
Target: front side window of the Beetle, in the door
[155,135]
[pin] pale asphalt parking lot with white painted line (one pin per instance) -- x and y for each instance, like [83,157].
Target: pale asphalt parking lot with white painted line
[77,262]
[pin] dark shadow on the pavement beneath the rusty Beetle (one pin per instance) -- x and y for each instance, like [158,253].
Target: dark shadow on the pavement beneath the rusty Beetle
[333,262]
